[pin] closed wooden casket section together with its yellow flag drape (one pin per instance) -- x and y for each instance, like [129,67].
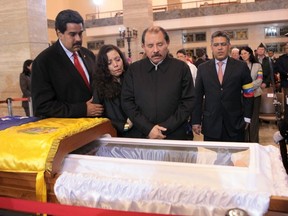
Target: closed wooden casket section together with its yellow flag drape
[31,154]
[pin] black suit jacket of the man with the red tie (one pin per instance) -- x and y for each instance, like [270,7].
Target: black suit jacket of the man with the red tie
[58,89]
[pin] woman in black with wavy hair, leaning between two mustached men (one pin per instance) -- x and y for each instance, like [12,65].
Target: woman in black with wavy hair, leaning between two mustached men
[107,83]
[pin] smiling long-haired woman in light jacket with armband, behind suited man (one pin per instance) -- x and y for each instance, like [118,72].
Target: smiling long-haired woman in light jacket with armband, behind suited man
[246,54]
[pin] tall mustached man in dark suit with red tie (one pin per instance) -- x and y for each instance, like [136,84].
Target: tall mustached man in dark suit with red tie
[58,88]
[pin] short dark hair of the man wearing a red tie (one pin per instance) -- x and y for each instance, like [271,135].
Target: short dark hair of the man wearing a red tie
[67,16]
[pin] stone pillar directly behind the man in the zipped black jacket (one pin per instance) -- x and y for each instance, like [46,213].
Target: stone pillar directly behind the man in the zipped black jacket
[138,15]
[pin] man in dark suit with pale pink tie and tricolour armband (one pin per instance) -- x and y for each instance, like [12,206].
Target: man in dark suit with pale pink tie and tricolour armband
[226,85]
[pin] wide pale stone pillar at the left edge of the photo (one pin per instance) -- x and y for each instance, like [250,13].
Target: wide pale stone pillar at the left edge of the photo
[23,36]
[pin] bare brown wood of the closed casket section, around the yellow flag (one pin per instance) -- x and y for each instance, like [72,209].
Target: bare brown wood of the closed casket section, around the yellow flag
[22,185]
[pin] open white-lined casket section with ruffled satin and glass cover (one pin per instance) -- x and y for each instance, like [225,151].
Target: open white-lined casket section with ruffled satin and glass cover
[175,177]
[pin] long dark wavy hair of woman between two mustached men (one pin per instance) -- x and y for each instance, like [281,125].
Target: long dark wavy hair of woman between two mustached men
[105,83]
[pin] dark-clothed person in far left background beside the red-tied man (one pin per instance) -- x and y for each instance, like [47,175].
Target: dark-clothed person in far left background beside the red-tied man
[25,84]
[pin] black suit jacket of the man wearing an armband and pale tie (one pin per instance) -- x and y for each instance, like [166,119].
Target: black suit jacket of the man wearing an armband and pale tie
[224,105]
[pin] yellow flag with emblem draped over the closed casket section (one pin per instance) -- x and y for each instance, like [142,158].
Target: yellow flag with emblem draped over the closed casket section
[30,148]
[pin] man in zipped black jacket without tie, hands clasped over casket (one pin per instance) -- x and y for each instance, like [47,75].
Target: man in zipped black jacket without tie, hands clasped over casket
[157,92]
